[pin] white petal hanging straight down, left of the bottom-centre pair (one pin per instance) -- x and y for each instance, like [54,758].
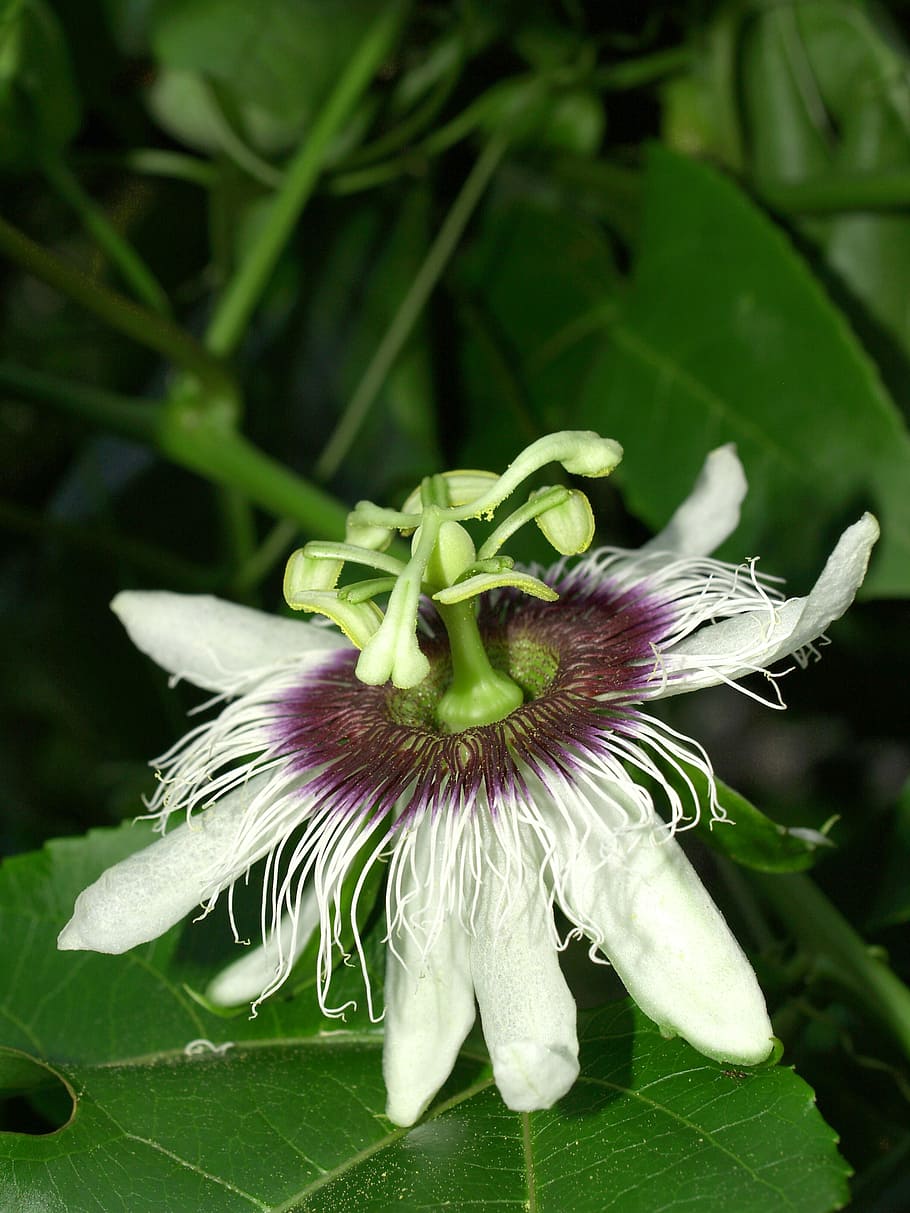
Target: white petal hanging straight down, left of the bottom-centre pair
[430,1003]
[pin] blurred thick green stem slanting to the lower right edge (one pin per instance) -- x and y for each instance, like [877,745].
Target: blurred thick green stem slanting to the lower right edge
[827,936]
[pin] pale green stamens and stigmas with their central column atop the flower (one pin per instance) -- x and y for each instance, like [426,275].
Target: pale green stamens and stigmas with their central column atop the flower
[447,567]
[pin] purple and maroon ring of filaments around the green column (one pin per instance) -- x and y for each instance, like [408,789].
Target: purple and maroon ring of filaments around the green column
[583,670]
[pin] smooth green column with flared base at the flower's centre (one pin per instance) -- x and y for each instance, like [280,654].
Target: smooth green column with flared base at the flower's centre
[479,694]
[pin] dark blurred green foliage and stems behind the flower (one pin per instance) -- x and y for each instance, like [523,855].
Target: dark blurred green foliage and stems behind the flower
[676,224]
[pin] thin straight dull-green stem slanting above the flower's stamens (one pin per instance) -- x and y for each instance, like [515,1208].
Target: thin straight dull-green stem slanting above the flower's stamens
[411,309]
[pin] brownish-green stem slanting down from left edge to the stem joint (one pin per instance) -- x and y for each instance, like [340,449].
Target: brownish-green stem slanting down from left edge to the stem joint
[147,328]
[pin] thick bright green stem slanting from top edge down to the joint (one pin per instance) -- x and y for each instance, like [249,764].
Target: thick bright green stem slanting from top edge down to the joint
[244,292]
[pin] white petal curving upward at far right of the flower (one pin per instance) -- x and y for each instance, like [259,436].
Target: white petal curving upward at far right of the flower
[740,646]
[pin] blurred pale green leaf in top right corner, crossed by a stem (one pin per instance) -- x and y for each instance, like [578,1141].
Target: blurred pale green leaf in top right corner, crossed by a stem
[829,94]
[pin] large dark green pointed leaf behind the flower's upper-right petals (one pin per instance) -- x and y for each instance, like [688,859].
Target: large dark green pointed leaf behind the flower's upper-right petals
[727,337]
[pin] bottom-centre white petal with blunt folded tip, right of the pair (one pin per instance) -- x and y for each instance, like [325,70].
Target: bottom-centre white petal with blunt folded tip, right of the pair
[527,1011]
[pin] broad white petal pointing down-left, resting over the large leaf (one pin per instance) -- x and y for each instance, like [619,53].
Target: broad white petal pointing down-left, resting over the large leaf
[146,895]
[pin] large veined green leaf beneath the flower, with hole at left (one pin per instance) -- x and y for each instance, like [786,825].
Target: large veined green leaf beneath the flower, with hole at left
[283,1113]
